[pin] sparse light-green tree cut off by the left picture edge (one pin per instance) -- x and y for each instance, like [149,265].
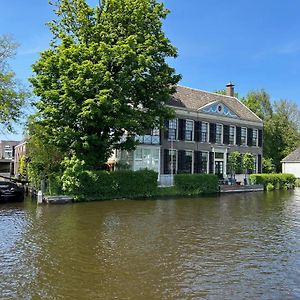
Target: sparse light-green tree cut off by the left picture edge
[12,94]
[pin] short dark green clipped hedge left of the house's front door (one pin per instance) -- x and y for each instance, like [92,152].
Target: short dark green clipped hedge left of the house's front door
[196,184]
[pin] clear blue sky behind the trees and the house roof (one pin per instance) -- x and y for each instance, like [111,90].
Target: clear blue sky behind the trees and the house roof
[253,43]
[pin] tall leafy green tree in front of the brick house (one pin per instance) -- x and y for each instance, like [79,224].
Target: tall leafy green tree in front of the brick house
[105,75]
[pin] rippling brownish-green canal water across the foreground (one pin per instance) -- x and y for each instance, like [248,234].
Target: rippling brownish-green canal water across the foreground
[241,246]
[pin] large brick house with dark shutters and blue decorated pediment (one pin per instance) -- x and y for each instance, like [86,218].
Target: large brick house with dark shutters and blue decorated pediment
[207,127]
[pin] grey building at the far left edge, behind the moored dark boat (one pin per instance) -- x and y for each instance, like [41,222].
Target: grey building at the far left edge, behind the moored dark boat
[7,152]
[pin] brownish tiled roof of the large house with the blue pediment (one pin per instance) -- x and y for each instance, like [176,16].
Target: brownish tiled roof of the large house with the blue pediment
[194,99]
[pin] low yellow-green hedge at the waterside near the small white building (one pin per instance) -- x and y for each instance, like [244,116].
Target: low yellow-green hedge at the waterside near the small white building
[278,181]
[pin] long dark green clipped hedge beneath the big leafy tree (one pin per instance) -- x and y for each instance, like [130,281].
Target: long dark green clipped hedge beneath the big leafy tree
[99,185]
